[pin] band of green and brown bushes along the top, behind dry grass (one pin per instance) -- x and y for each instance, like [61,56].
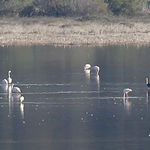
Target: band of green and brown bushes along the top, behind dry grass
[71,8]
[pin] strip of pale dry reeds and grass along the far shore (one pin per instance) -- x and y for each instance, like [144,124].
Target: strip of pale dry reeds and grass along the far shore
[73,33]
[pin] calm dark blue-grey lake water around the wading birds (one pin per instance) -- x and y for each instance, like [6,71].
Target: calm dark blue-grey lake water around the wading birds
[65,109]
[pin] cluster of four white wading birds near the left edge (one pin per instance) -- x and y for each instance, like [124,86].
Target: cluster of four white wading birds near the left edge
[8,86]
